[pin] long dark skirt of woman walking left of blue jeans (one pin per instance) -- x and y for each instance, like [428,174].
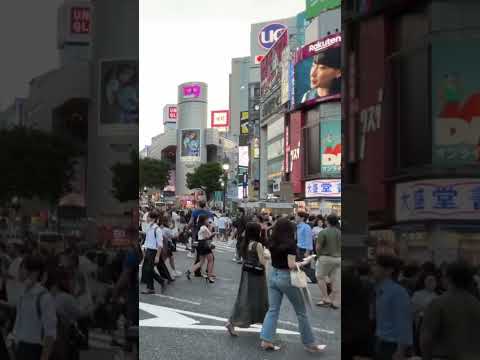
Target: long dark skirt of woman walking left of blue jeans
[251,304]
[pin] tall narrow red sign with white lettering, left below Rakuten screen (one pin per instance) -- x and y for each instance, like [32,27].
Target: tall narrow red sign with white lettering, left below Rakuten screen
[295,143]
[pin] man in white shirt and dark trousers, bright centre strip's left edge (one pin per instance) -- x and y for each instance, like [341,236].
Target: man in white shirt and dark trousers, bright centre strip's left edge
[153,247]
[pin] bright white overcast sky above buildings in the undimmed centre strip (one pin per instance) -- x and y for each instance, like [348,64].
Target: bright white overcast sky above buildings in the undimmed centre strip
[188,40]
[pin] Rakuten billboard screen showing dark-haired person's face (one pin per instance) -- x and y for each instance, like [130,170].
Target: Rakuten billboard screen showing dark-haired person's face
[318,71]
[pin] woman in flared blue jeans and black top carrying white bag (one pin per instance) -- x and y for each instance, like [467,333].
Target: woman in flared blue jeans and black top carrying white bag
[283,249]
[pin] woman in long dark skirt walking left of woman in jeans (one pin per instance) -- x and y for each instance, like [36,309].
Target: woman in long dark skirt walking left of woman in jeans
[252,298]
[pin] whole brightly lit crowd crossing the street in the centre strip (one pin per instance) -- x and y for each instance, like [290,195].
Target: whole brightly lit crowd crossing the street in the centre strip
[279,256]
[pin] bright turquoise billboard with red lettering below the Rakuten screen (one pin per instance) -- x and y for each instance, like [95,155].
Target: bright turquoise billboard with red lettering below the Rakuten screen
[330,147]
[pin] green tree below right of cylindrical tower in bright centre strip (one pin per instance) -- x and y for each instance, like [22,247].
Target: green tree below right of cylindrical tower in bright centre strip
[206,177]
